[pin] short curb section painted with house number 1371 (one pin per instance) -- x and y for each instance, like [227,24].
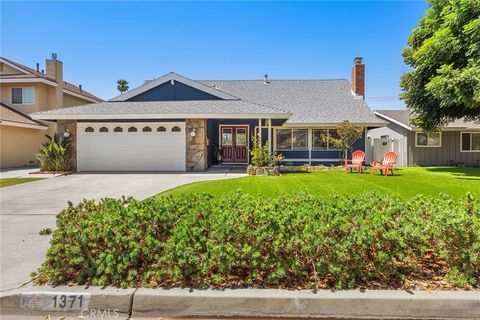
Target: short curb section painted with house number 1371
[74,301]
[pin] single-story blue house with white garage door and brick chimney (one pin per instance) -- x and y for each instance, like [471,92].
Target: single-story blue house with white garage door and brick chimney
[173,123]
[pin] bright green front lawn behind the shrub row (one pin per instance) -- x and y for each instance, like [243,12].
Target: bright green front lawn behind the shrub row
[406,182]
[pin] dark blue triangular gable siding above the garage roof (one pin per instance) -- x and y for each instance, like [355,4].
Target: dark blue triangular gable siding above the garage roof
[169,92]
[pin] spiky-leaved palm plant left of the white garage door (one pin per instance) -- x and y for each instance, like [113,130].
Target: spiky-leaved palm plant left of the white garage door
[55,154]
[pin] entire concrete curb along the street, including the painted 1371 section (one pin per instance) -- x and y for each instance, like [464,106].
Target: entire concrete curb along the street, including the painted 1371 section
[177,302]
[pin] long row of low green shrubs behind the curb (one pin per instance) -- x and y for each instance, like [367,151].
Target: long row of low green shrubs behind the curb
[298,241]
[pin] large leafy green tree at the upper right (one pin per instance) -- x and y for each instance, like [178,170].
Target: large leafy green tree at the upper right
[444,53]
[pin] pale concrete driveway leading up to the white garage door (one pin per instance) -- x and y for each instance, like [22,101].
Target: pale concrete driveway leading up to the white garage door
[27,208]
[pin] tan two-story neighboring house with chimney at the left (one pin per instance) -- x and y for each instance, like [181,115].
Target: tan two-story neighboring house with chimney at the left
[24,91]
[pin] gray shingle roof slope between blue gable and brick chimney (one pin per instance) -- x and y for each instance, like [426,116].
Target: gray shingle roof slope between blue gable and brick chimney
[310,101]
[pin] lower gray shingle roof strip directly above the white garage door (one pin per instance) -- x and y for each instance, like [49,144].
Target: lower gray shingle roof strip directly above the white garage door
[162,108]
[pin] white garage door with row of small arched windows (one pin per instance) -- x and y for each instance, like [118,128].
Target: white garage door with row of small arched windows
[131,146]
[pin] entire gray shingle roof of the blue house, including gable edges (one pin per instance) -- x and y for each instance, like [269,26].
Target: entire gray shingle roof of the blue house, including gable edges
[302,102]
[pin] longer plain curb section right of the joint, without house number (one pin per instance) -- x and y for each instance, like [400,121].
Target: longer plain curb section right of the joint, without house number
[322,304]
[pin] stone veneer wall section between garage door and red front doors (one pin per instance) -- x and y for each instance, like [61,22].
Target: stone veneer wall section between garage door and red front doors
[196,153]
